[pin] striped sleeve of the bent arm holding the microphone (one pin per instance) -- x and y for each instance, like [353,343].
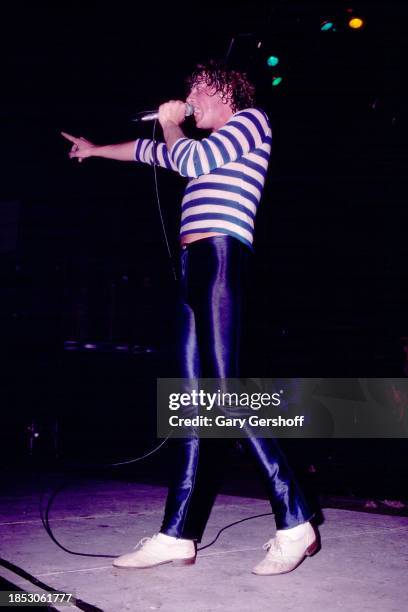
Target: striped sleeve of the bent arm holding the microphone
[247,131]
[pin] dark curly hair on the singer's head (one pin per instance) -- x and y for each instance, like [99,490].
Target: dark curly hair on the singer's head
[232,86]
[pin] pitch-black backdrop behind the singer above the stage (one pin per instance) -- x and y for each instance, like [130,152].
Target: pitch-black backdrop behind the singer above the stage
[82,254]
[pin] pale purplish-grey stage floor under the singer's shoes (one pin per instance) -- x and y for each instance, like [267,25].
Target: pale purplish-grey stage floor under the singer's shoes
[362,564]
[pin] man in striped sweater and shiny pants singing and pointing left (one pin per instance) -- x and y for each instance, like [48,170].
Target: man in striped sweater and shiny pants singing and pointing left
[226,173]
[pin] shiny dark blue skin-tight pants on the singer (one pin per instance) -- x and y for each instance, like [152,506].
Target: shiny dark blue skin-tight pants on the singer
[212,280]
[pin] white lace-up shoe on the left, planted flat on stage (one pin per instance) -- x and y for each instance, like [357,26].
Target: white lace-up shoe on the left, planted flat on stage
[156,550]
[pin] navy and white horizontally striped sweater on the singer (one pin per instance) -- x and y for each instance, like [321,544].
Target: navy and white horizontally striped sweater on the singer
[227,173]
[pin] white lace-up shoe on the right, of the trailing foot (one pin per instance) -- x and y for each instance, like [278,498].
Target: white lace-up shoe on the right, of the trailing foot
[287,550]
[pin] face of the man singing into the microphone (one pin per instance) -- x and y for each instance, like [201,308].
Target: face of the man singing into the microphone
[210,112]
